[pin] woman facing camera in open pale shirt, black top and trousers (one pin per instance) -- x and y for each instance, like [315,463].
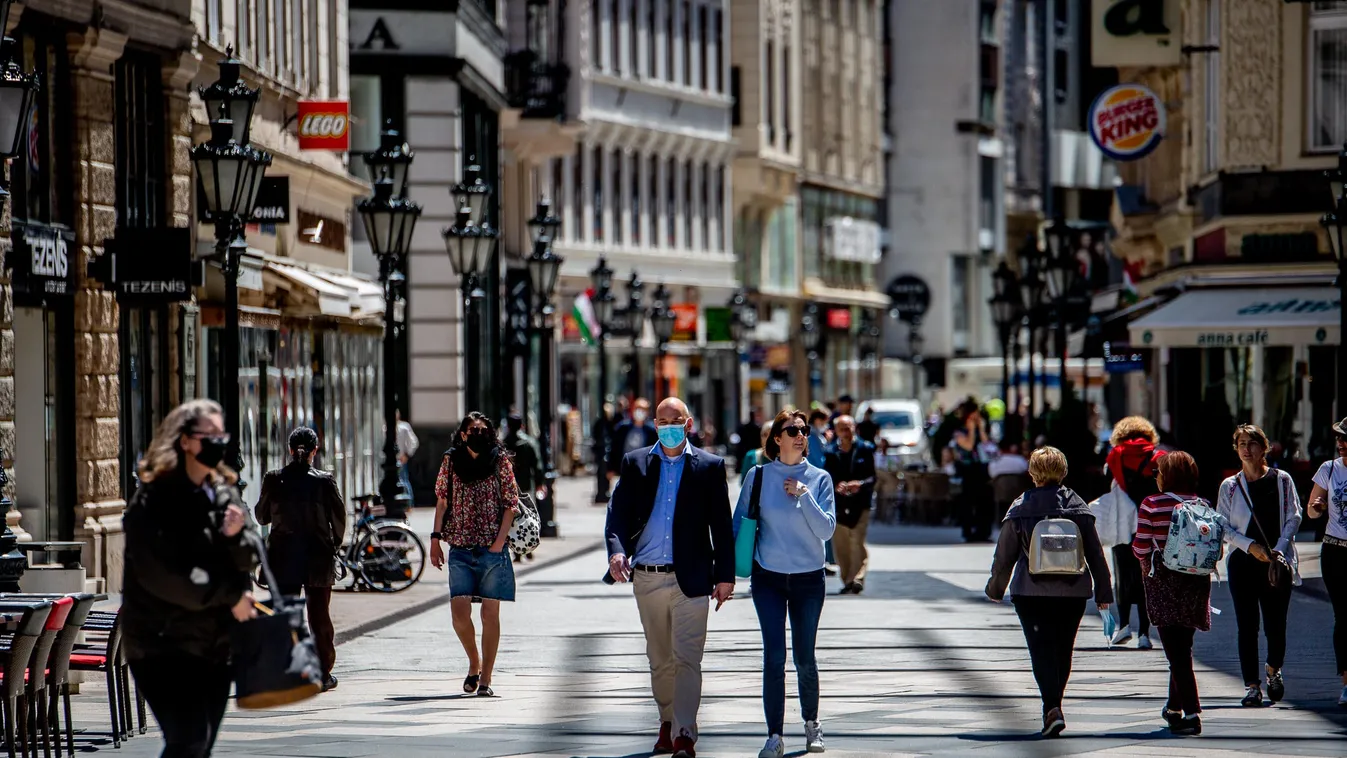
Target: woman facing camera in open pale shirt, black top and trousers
[1264,514]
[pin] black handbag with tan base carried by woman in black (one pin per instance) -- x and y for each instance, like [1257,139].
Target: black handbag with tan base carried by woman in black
[275,660]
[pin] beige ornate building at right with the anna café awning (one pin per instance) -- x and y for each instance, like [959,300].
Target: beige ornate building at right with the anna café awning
[1239,318]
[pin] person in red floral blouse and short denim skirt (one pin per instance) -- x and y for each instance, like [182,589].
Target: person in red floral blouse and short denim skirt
[478,502]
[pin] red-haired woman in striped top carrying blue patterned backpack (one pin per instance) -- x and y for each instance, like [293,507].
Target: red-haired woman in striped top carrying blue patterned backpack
[1178,577]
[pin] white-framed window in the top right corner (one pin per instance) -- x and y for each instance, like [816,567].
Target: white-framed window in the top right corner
[1327,127]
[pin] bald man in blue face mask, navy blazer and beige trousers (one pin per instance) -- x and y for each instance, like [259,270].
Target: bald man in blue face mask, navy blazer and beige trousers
[670,532]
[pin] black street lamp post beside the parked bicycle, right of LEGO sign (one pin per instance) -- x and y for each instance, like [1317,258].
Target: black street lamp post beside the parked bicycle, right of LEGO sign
[390,220]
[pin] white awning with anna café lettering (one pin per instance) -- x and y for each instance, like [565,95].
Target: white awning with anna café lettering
[1243,318]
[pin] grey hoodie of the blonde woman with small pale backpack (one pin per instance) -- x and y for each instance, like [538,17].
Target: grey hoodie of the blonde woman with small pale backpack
[1028,510]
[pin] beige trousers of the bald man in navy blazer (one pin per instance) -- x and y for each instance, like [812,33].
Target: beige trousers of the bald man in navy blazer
[676,639]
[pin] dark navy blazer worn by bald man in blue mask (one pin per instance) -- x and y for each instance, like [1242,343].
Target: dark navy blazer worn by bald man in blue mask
[704,527]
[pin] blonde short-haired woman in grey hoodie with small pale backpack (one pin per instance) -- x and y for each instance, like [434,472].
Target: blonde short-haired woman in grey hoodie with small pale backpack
[1051,559]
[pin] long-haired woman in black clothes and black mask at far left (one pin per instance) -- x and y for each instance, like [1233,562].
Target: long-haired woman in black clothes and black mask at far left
[188,577]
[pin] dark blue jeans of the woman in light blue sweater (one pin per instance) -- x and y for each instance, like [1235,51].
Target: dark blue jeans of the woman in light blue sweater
[801,597]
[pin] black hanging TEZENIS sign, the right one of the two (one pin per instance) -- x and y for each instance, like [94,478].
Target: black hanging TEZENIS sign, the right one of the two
[149,266]
